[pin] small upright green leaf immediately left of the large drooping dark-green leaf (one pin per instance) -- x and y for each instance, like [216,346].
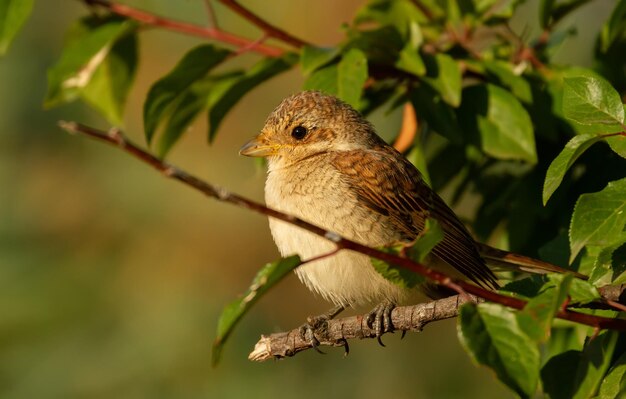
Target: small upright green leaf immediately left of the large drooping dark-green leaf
[444,75]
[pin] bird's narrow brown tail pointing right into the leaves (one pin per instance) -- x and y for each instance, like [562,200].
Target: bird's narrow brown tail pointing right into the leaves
[514,262]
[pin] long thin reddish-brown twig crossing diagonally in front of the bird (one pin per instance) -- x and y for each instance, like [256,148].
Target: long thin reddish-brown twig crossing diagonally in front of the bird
[115,137]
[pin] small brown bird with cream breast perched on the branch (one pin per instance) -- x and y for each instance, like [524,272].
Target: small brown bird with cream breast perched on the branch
[327,165]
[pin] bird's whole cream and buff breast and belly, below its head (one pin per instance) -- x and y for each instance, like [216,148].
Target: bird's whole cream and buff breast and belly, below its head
[318,194]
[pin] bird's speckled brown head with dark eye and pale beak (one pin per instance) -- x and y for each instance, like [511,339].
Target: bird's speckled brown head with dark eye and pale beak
[307,124]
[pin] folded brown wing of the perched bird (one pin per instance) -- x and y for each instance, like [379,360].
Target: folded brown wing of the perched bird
[389,184]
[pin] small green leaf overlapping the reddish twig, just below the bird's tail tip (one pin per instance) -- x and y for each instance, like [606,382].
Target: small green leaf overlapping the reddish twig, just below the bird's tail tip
[536,317]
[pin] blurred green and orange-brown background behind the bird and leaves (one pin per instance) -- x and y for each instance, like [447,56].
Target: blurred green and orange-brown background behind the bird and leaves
[112,277]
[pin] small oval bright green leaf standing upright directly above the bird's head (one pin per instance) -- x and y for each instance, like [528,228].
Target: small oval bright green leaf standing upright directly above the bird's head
[351,76]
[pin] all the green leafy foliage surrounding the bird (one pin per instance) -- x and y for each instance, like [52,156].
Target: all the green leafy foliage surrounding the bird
[498,121]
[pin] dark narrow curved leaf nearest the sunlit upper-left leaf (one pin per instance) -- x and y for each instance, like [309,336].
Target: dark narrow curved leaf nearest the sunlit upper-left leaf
[194,65]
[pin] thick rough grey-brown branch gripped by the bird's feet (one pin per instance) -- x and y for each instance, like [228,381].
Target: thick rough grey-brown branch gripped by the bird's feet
[337,332]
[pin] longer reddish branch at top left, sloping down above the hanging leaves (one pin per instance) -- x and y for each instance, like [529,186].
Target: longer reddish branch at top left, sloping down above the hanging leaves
[213,33]
